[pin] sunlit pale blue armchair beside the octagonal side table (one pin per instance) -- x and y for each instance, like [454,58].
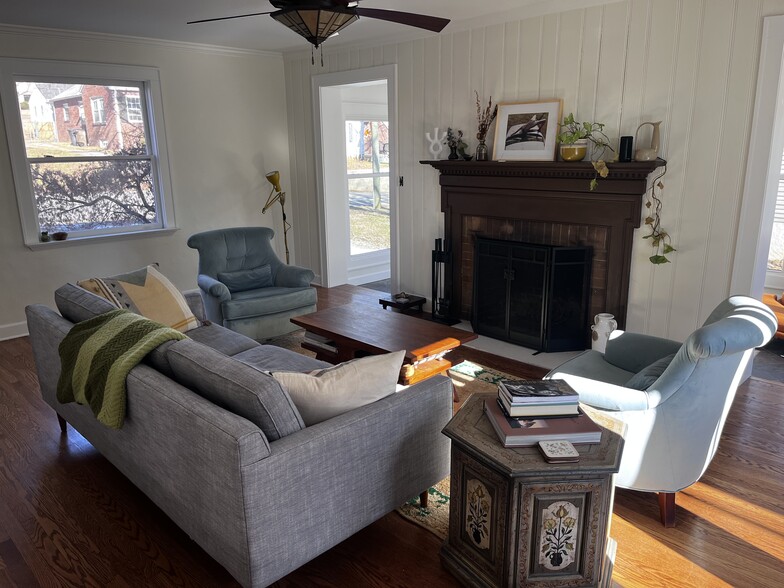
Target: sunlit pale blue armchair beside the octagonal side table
[674,398]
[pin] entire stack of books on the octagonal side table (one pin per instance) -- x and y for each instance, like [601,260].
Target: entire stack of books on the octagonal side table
[551,413]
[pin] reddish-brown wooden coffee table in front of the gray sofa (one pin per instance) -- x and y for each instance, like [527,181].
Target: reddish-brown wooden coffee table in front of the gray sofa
[342,333]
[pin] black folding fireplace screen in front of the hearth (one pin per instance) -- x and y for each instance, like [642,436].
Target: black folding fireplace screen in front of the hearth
[533,295]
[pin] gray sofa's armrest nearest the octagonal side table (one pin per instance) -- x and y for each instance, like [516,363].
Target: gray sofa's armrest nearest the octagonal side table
[324,483]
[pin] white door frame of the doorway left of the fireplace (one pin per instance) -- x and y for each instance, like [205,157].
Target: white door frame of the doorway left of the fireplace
[382,72]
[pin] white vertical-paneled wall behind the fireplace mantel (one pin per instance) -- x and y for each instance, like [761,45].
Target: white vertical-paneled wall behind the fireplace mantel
[689,63]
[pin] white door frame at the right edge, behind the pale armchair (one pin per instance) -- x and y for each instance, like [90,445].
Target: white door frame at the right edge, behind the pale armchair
[762,166]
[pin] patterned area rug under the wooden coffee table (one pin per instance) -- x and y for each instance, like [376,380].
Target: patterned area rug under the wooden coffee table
[468,378]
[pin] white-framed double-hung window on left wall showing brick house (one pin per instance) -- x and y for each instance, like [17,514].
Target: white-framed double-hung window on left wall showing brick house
[103,172]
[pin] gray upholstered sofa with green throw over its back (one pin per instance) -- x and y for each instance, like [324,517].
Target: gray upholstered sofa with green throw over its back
[260,504]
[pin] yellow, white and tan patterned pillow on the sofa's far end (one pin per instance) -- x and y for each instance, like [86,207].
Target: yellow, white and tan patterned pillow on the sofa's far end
[147,292]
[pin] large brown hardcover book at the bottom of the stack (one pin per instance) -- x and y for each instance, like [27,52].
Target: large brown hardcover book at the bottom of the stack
[526,432]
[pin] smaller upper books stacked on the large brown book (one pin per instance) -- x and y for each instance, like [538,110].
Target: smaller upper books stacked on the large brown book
[537,398]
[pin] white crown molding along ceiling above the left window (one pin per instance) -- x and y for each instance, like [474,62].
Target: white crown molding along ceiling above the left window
[67,34]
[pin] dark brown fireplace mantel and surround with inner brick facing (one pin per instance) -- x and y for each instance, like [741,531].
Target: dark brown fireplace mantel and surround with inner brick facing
[546,203]
